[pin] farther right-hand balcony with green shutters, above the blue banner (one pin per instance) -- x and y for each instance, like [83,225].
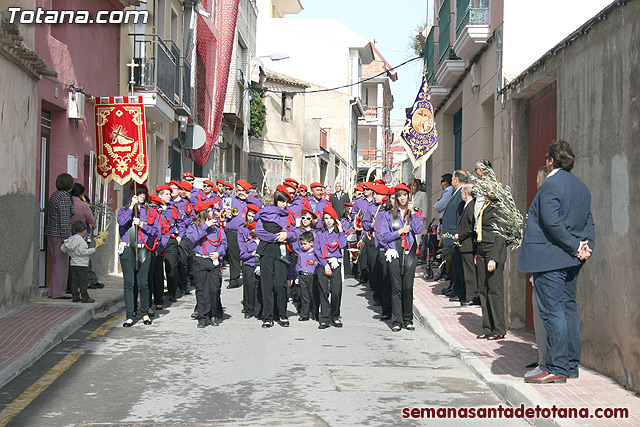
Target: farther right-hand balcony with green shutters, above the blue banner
[450,67]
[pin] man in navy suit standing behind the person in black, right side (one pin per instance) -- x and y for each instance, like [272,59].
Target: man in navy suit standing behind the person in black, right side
[450,220]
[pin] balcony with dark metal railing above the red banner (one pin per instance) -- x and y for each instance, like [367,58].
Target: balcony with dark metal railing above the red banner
[160,69]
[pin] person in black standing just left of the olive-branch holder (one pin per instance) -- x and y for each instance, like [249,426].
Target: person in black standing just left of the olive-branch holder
[466,237]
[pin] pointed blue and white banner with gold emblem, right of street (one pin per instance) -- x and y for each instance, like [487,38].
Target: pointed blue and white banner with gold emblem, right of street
[419,134]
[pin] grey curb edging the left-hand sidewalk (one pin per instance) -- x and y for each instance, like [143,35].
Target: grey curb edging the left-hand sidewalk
[57,335]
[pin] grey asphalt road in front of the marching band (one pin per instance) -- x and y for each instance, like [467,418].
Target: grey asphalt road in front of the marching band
[240,374]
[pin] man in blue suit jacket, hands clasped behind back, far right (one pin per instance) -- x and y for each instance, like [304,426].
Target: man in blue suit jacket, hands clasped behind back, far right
[559,237]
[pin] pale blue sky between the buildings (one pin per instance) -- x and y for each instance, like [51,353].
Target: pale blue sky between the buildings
[391,24]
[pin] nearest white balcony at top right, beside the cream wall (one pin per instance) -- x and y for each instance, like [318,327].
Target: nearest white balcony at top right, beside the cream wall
[472,27]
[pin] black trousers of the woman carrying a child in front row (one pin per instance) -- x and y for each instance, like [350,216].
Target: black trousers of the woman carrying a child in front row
[273,280]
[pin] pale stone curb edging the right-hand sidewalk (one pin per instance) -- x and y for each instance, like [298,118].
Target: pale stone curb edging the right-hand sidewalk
[513,393]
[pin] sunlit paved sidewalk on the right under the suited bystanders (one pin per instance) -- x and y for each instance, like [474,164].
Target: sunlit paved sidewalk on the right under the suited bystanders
[501,364]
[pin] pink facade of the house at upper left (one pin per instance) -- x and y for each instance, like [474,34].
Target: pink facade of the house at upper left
[89,55]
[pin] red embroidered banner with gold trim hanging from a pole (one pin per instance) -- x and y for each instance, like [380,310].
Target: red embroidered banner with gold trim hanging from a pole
[121,139]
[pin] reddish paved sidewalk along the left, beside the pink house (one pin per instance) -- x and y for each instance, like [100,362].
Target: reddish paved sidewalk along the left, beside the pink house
[29,332]
